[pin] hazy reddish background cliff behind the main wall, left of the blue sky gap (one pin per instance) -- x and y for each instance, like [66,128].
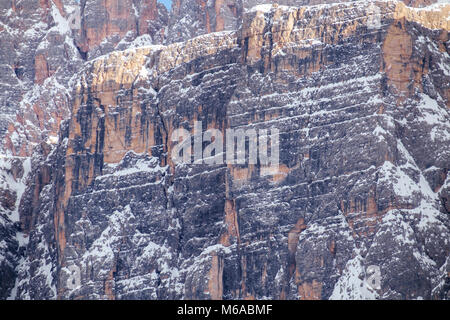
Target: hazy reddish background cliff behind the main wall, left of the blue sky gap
[44,45]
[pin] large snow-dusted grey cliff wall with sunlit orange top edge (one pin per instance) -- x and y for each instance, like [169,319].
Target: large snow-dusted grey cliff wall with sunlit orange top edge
[243,232]
